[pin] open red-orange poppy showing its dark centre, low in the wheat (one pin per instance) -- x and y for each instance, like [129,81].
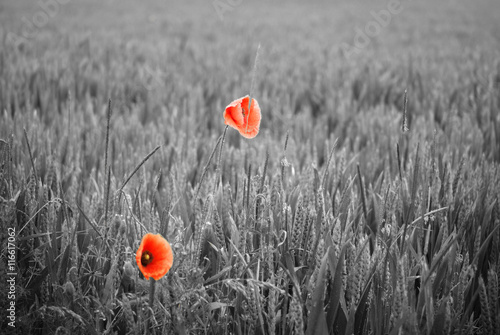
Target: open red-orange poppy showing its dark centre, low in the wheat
[154,256]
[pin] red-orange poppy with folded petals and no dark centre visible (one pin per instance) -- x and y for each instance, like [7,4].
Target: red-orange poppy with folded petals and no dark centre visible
[246,122]
